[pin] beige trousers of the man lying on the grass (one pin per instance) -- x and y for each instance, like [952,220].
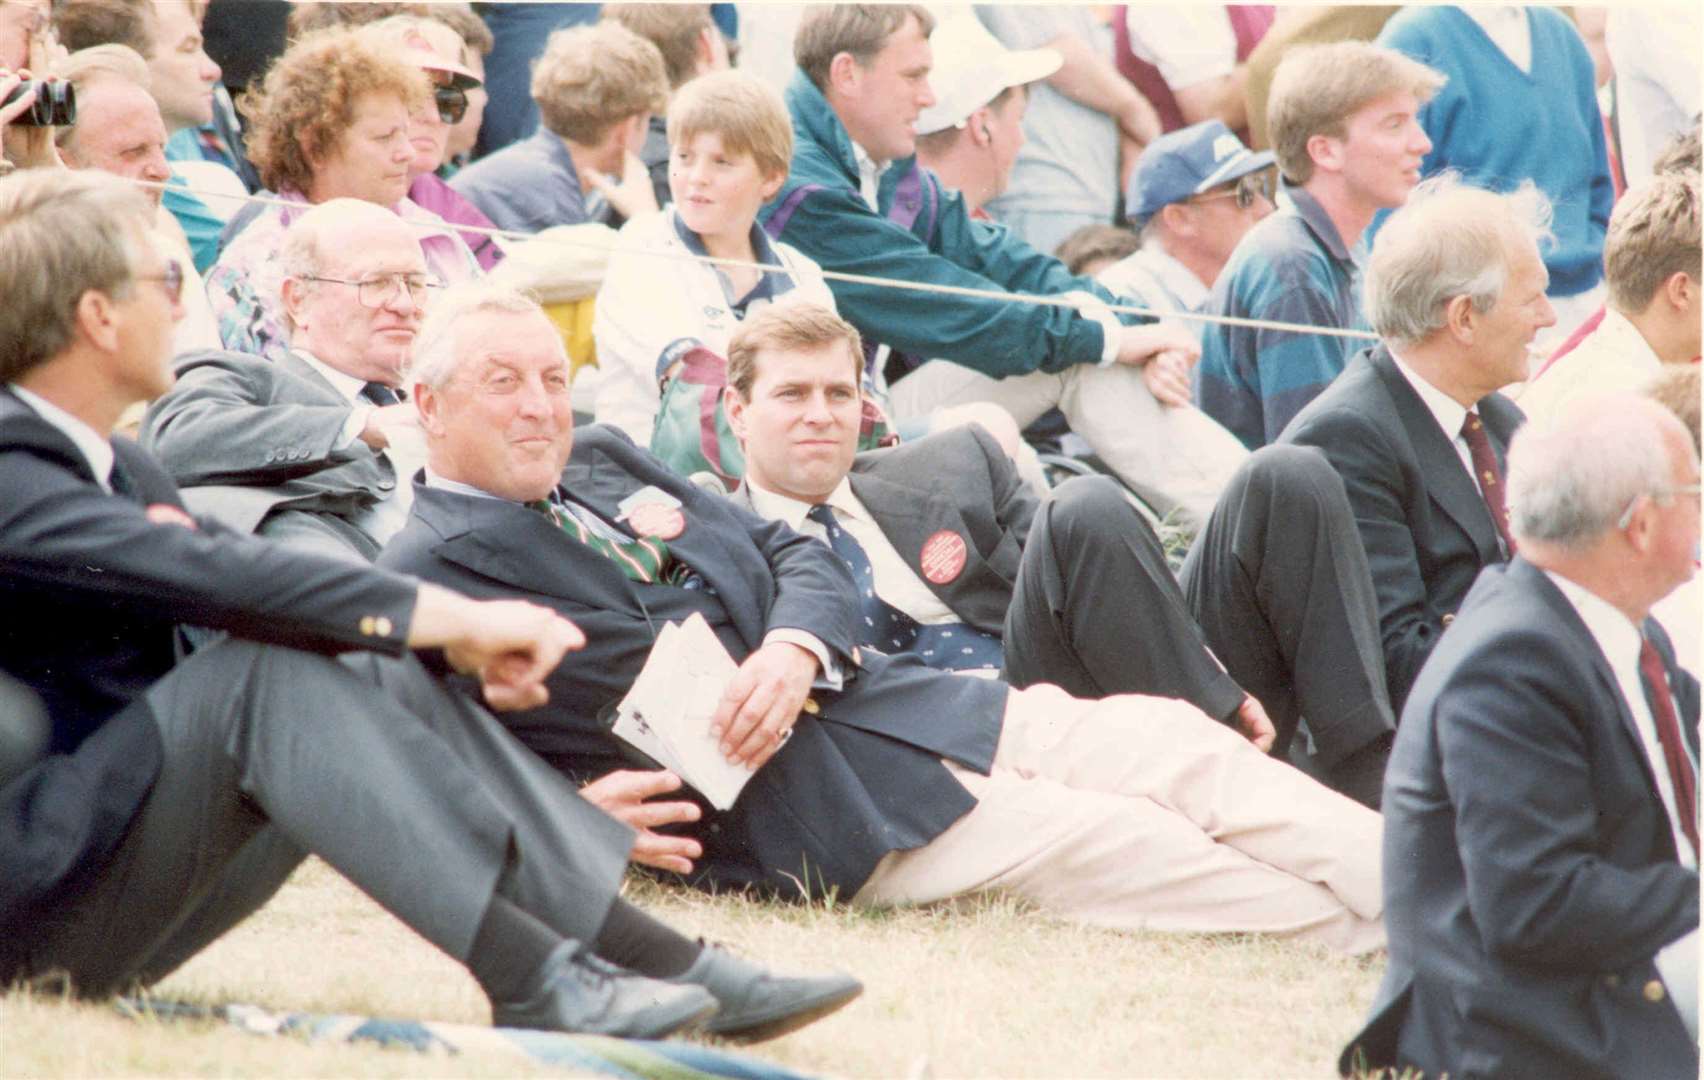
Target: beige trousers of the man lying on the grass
[1144,813]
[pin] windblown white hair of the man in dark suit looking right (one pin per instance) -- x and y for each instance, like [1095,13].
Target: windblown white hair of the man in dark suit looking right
[1451,239]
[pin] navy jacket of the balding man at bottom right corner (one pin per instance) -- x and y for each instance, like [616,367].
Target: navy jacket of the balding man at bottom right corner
[1529,866]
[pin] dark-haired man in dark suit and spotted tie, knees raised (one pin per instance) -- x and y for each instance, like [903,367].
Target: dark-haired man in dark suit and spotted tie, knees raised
[1076,590]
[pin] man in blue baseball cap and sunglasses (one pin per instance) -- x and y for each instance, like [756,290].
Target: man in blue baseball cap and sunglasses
[1192,197]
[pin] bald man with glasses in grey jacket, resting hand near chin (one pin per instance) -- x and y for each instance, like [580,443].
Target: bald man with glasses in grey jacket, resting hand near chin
[314,447]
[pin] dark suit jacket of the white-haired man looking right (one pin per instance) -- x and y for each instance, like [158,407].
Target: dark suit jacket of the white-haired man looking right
[1422,519]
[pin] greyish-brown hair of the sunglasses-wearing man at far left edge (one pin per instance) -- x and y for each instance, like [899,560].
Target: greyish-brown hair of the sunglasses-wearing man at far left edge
[62,234]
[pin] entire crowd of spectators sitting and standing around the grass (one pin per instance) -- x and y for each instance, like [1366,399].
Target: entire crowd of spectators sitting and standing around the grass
[1197,382]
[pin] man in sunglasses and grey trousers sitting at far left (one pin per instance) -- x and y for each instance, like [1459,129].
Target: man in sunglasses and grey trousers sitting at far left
[175,798]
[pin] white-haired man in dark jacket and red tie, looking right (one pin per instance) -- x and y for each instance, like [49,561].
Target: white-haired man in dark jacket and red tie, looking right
[1417,427]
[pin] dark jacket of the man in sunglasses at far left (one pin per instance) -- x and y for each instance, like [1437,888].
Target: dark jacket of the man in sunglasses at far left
[93,590]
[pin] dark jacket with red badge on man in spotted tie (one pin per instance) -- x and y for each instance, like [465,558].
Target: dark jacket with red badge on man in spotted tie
[957,481]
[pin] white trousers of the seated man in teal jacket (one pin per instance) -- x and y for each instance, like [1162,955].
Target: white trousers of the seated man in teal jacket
[1177,459]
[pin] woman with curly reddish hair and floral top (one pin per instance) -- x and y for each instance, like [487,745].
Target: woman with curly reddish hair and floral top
[331,120]
